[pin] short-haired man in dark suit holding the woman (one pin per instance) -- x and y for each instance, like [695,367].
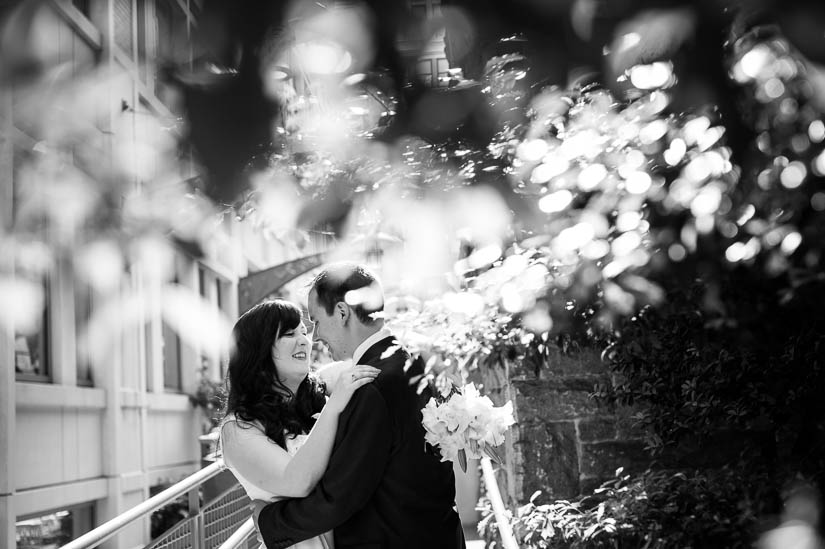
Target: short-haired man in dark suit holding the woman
[381,488]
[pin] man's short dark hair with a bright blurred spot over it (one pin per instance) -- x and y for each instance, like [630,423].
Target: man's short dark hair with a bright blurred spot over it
[354,285]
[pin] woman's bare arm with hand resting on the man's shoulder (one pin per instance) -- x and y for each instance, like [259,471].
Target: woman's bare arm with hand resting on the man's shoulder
[270,467]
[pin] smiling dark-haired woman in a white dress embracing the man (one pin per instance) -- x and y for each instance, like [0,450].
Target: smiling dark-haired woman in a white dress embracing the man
[279,427]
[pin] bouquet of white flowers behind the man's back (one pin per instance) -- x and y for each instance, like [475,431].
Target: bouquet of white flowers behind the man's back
[463,422]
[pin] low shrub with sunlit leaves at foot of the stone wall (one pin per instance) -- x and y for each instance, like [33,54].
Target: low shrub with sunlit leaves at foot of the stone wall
[656,509]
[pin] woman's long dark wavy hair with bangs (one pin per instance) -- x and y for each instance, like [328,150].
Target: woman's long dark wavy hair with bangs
[255,390]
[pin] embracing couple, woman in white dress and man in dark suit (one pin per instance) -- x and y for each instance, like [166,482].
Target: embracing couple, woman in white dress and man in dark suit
[340,462]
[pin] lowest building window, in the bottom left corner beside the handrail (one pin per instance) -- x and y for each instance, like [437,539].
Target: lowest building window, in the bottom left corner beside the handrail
[54,529]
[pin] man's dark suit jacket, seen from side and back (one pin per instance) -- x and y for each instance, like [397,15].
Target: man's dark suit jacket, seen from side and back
[382,489]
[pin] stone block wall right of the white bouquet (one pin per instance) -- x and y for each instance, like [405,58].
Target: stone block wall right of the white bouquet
[564,443]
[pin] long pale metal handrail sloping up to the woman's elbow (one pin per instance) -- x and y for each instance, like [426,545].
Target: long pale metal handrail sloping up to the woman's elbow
[112,527]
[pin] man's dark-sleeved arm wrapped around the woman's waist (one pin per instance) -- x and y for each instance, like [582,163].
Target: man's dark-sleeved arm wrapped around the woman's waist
[355,468]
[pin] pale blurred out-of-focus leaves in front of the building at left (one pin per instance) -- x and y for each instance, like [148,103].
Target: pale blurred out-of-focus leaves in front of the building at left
[102,224]
